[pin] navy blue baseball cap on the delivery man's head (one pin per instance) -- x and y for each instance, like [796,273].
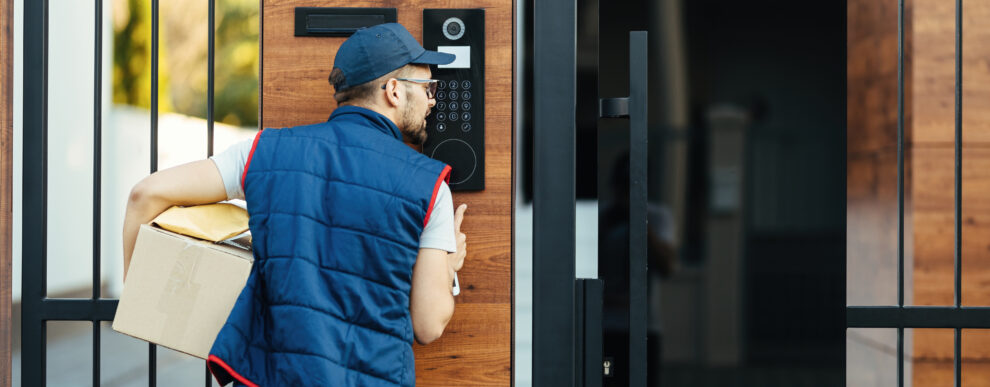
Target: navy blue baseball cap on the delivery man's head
[378,50]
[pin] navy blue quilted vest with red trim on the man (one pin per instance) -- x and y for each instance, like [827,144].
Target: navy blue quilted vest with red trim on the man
[336,211]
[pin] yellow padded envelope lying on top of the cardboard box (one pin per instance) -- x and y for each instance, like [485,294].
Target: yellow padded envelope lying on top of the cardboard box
[212,222]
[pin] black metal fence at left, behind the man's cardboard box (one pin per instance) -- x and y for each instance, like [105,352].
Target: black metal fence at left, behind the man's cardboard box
[37,307]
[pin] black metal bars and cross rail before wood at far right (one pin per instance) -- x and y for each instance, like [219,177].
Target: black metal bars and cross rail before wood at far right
[901,316]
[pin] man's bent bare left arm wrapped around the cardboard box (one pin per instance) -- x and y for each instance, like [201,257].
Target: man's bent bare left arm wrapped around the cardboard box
[198,182]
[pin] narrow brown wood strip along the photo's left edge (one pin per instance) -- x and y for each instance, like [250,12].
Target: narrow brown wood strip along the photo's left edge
[6,181]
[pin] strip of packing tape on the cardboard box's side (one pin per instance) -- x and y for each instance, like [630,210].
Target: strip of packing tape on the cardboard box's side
[179,289]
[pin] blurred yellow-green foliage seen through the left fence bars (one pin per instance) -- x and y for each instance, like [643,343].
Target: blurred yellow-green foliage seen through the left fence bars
[183,60]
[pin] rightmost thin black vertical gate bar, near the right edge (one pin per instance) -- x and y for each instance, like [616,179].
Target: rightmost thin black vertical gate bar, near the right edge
[957,276]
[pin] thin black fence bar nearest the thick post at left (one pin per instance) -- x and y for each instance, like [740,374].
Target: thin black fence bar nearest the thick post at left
[97,173]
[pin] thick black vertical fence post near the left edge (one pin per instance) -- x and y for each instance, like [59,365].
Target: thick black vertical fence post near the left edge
[35,156]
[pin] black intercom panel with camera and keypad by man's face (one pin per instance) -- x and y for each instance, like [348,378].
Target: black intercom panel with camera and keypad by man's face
[456,127]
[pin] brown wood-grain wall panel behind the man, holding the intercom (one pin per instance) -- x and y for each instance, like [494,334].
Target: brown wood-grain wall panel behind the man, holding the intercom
[476,349]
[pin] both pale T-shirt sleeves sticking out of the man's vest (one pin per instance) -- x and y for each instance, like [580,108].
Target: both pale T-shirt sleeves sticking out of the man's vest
[438,233]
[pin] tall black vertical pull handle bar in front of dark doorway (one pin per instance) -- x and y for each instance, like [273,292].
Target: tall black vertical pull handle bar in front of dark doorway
[637,208]
